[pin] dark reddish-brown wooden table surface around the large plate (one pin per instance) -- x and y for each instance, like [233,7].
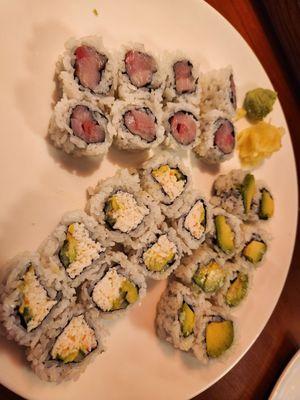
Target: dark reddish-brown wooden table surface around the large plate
[256,374]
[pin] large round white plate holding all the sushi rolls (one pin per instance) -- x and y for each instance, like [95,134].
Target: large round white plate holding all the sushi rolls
[38,183]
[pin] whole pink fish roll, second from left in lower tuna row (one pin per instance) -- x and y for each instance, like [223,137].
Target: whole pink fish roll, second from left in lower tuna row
[138,125]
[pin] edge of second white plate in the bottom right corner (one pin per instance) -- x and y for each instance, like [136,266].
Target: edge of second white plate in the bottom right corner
[288,385]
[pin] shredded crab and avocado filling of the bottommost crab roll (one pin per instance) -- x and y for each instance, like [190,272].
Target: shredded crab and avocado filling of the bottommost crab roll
[75,342]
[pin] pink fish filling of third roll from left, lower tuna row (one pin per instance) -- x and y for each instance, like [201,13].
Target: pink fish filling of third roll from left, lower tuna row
[183,127]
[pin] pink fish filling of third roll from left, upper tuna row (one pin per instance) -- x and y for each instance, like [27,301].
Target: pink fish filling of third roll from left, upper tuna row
[184,80]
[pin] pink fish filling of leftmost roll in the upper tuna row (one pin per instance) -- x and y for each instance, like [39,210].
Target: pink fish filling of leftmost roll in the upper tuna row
[89,65]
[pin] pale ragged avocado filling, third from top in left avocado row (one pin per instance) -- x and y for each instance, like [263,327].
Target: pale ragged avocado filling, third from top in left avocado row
[210,277]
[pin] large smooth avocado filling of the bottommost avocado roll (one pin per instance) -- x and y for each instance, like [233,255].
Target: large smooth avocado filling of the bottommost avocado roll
[218,337]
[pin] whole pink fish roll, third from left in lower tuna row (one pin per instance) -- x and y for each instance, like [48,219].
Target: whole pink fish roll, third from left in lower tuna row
[182,125]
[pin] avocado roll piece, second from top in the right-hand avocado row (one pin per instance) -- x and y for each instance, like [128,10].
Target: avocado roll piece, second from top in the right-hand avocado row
[256,244]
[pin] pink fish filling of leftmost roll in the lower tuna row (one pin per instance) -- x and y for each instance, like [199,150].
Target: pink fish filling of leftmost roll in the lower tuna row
[85,126]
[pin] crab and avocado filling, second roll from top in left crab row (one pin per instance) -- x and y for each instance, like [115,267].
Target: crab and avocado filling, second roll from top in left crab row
[123,213]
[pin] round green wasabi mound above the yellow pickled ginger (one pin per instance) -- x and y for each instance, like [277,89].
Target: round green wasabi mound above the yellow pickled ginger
[259,103]
